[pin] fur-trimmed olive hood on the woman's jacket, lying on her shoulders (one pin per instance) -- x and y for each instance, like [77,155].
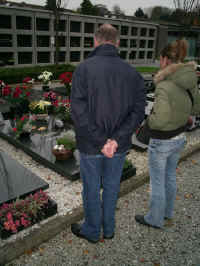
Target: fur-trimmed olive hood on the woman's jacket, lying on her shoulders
[183,75]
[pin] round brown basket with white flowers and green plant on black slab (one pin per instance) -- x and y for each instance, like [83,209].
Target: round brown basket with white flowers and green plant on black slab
[64,148]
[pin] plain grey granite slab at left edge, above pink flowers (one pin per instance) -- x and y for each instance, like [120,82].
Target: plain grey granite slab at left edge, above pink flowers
[16,180]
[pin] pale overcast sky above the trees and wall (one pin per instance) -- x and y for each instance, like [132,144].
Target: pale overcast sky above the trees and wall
[128,6]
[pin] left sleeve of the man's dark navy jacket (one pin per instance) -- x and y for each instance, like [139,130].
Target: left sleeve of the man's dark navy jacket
[80,110]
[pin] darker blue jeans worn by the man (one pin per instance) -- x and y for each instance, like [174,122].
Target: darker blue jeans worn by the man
[97,171]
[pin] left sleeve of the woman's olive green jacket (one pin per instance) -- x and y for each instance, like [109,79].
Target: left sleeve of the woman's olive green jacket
[160,115]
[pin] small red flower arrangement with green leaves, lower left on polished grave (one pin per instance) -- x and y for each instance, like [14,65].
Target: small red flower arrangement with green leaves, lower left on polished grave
[23,125]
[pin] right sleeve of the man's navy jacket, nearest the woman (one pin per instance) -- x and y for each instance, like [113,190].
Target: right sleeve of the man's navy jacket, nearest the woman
[136,115]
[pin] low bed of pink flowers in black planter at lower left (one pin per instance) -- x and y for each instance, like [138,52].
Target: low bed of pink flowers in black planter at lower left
[23,213]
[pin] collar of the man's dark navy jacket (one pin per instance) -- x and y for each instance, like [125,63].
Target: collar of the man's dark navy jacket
[104,50]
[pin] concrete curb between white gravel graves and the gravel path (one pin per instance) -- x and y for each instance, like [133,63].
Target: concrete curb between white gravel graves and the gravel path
[55,225]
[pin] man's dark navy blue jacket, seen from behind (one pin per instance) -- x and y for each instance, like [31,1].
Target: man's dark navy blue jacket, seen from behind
[107,101]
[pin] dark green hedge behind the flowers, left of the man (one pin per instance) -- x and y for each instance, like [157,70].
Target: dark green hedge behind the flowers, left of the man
[16,75]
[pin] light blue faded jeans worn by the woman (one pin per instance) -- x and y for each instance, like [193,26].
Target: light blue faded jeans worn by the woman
[163,159]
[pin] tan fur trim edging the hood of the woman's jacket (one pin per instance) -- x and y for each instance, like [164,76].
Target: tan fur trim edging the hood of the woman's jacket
[170,69]
